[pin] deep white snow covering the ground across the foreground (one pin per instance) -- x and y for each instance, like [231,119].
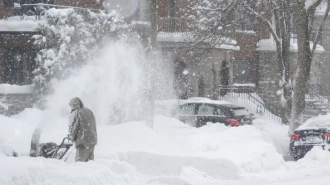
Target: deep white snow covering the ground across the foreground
[172,153]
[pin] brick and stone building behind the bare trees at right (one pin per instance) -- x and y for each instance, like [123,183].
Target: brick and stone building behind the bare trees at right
[254,64]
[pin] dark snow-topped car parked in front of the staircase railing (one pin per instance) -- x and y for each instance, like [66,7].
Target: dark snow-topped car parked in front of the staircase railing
[198,113]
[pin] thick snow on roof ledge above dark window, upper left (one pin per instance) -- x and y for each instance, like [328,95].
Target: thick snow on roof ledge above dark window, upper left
[16,23]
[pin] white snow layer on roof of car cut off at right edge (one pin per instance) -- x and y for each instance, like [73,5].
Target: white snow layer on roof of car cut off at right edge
[317,122]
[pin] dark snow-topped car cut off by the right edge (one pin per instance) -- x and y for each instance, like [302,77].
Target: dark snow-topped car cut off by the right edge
[314,132]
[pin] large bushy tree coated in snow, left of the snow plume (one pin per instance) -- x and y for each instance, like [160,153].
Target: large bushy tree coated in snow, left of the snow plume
[69,38]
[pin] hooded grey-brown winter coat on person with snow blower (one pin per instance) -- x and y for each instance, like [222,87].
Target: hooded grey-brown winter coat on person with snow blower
[82,125]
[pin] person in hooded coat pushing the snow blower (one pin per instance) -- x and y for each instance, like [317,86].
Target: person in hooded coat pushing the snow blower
[82,130]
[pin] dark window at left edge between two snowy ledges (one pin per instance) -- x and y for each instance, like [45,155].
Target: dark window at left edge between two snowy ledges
[19,64]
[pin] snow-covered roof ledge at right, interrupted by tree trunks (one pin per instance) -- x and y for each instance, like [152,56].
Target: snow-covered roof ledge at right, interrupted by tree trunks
[270,45]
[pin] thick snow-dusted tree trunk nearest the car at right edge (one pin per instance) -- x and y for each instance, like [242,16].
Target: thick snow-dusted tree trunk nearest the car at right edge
[303,65]
